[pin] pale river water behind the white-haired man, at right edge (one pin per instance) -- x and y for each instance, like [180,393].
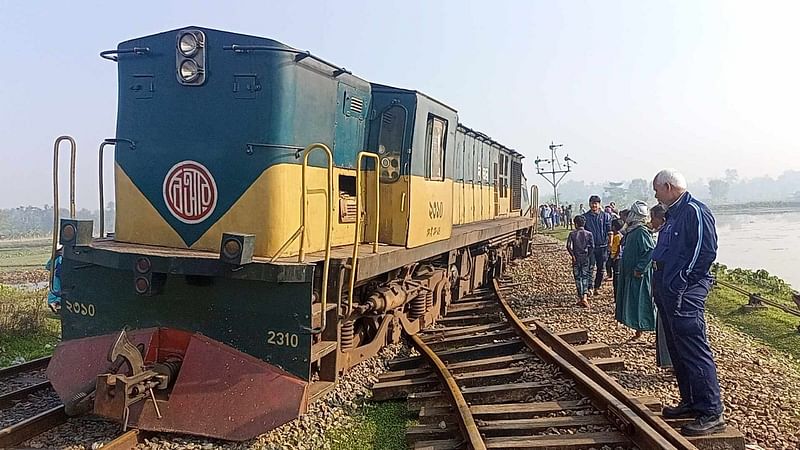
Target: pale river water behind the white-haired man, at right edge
[761,239]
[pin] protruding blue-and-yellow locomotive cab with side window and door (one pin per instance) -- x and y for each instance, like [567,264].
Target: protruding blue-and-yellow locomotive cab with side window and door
[414,136]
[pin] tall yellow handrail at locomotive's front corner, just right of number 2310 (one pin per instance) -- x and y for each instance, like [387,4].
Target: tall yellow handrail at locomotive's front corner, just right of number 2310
[301,232]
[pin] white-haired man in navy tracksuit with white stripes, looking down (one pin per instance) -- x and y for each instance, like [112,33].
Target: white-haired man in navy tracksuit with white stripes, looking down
[686,247]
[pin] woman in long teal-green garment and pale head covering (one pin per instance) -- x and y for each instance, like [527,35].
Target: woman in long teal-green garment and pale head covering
[634,299]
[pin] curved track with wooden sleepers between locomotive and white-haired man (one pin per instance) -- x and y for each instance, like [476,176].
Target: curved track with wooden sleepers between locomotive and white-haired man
[481,382]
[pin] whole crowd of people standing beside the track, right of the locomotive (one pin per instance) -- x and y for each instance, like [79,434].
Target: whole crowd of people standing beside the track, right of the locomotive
[658,261]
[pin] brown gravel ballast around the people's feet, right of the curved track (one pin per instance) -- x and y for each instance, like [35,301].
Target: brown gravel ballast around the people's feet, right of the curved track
[760,386]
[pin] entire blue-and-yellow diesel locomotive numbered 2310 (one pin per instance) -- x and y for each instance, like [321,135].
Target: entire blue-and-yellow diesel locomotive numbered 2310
[278,221]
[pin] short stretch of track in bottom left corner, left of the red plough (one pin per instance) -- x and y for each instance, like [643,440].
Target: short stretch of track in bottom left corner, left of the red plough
[28,405]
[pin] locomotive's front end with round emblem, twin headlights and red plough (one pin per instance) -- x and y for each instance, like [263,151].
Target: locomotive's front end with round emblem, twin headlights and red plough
[178,321]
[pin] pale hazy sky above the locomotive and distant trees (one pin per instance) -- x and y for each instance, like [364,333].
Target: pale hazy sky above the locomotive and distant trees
[628,87]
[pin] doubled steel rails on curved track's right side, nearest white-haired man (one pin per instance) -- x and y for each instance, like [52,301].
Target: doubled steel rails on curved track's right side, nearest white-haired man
[633,418]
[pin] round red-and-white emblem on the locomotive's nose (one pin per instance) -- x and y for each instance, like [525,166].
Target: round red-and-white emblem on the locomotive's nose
[190,192]
